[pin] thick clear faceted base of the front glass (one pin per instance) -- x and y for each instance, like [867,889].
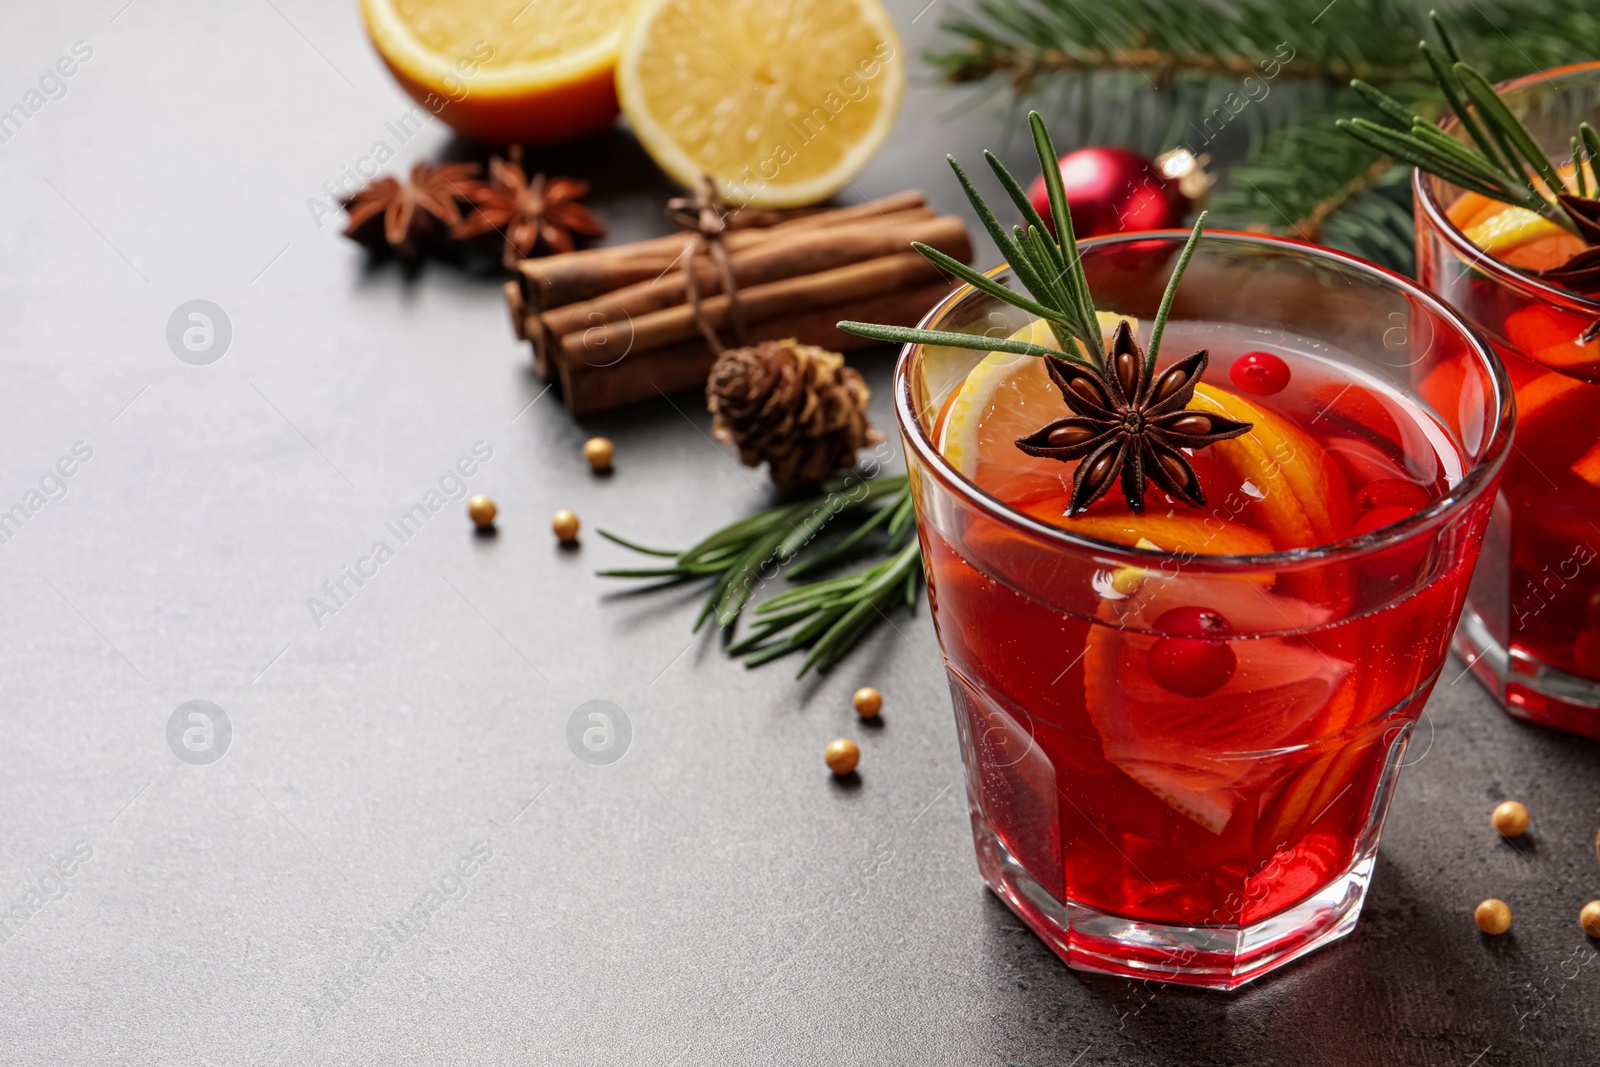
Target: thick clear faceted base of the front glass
[1210,957]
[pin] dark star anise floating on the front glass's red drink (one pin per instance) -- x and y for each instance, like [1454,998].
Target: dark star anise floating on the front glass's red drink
[1130,422]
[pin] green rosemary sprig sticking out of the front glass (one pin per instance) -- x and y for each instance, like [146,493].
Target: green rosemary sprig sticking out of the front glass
[1049,268]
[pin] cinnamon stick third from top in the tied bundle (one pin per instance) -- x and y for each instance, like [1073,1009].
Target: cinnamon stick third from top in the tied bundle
[759,303]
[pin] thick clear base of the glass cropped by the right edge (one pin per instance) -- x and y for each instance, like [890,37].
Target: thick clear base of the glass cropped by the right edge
[1526,687]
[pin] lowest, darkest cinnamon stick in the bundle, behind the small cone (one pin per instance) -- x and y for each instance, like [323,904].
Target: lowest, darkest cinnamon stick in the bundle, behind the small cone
[644,375]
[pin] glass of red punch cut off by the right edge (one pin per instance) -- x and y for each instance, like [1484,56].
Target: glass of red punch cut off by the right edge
[1532,628]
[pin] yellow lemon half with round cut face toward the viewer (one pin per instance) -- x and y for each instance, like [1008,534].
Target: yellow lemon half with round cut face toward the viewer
[783,103]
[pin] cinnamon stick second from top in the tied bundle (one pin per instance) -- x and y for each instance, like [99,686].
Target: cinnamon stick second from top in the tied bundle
[782,257]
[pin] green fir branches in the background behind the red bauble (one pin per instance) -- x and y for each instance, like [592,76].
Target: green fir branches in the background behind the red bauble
[1300,177]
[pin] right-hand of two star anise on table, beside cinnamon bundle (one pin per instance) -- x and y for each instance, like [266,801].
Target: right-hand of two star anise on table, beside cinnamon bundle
[530,210]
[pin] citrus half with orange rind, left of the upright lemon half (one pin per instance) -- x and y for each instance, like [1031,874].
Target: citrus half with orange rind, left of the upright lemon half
[511,71]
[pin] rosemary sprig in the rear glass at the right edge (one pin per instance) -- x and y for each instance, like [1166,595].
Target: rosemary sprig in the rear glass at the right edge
[1502,161]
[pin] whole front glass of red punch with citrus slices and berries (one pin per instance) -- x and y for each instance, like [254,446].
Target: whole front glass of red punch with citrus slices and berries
[1183,727]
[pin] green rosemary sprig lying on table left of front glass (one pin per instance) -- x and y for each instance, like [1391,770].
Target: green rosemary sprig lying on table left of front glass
[823,617]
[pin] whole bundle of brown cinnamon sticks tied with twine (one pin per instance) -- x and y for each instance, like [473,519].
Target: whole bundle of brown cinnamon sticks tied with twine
[615,326]
